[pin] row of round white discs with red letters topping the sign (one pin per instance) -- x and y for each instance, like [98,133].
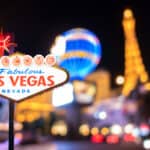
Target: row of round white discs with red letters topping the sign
[27,60]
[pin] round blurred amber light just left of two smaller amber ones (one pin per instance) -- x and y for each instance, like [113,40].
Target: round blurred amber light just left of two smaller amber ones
[84,130]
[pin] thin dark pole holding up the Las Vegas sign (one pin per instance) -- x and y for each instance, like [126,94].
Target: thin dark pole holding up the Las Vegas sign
[11,125]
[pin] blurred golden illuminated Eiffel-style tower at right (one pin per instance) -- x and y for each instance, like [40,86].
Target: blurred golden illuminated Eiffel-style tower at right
[134,67]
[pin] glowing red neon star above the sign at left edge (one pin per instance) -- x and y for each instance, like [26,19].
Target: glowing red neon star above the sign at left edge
[5,43]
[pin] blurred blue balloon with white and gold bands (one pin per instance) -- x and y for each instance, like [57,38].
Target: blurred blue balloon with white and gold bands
[79,52]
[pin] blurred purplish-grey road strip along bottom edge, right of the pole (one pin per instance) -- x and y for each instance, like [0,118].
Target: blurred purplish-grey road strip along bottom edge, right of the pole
[79,146]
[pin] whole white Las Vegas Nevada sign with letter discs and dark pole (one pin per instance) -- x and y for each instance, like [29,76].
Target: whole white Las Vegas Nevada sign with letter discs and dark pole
[24,76]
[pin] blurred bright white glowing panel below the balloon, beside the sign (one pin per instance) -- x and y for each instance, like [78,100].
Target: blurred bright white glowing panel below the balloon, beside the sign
[62,95]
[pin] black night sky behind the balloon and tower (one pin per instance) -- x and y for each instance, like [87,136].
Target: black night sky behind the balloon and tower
[36,24]
